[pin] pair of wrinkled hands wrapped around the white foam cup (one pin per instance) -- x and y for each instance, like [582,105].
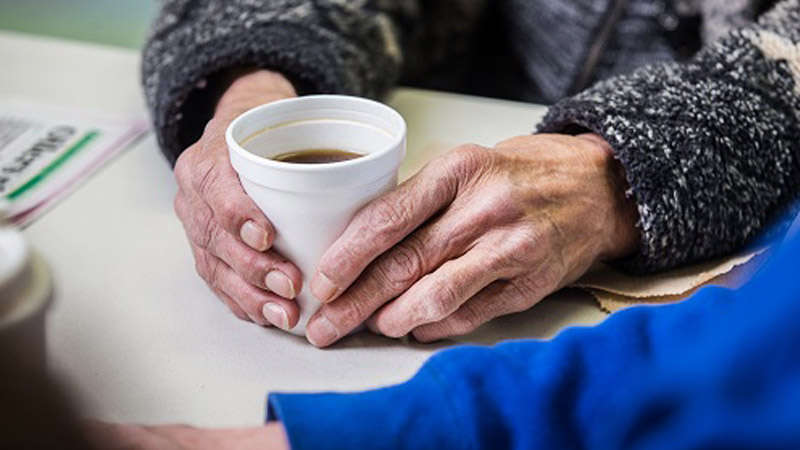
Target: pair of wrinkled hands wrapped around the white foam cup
[478,233]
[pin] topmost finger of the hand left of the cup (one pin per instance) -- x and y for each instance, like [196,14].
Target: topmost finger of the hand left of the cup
[207,171]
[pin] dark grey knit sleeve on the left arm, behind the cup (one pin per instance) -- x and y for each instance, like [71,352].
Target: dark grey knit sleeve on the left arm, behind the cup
[322,46]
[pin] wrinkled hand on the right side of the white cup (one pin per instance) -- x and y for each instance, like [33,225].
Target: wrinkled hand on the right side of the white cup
[476,234]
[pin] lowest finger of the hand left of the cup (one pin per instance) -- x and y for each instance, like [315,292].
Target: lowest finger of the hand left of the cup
[261,307]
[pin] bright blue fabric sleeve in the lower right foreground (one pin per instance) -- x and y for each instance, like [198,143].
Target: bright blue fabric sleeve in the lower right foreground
[721,370]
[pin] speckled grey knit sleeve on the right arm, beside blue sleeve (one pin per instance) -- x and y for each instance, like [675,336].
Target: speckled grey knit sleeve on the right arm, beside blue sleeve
[711,148]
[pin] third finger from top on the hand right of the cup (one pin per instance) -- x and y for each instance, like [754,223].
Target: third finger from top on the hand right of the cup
[440,294]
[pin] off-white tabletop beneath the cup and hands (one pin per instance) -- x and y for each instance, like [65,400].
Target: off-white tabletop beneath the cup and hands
[137,333]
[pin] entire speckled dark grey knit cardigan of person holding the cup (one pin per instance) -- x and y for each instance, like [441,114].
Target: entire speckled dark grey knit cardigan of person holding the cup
[709,138]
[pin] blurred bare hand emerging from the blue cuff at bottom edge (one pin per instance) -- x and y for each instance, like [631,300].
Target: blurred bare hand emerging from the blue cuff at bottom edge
[179,437]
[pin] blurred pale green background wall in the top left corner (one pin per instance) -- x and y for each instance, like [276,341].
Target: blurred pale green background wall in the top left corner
[115,22]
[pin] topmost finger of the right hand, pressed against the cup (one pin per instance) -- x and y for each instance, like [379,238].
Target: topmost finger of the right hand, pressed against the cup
[390,218]
